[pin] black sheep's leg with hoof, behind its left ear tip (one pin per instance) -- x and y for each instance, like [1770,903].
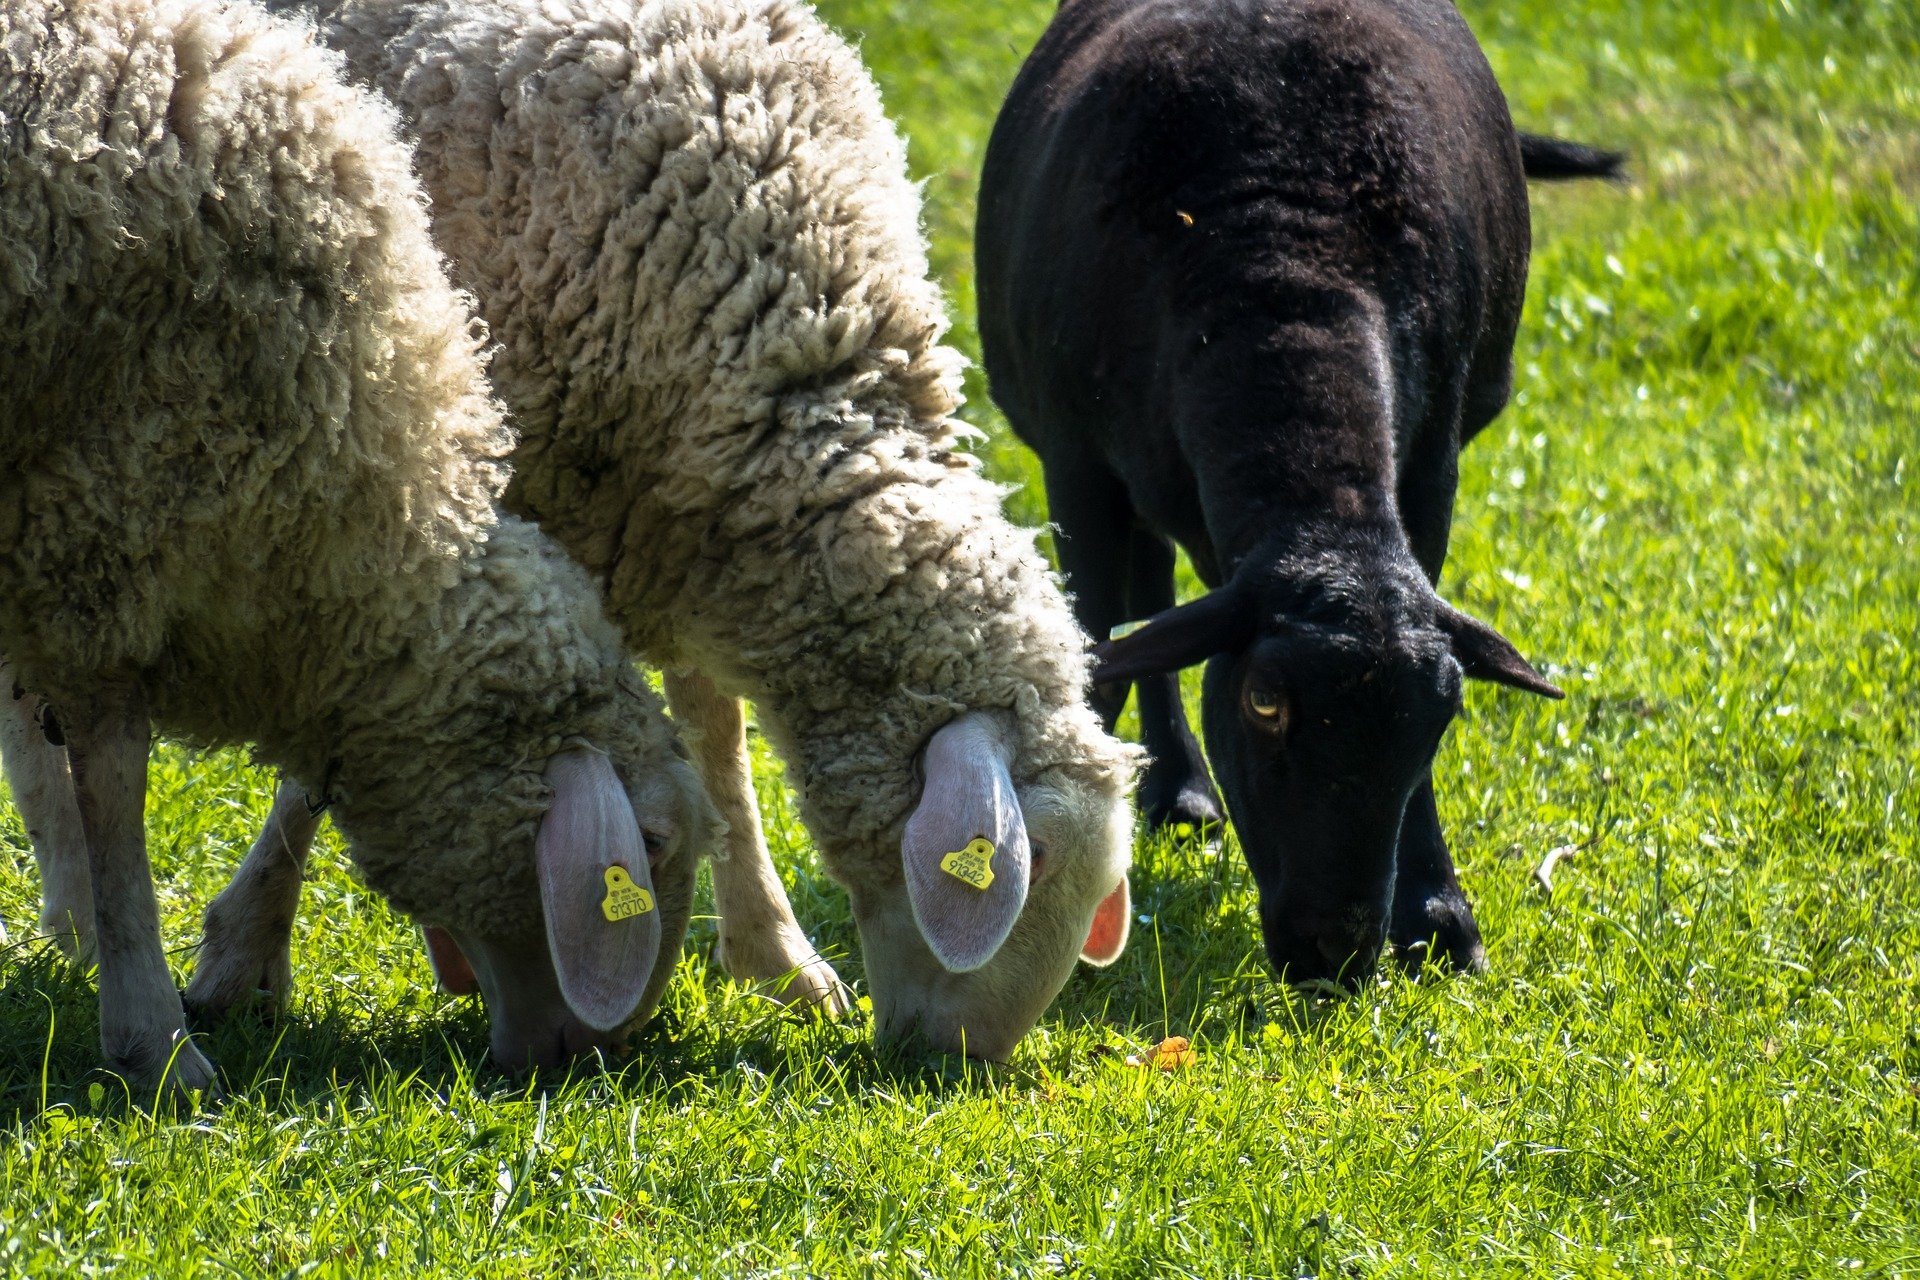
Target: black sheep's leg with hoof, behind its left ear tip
[1178,790]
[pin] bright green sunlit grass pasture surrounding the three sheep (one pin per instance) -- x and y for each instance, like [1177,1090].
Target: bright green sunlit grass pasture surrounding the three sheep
[1698,1055]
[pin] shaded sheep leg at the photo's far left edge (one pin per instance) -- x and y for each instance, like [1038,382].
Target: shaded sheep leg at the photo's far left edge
[43,792]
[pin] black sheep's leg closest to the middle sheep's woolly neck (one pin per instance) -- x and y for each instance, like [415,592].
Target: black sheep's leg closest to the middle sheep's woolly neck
[1093,517]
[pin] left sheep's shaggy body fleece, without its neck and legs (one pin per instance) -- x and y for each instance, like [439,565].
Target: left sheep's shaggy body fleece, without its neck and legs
[243,398]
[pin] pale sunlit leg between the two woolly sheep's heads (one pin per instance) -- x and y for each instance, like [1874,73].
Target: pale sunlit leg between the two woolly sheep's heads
[759,939]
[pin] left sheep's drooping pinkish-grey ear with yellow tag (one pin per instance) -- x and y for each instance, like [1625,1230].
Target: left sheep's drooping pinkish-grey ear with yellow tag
[604,926]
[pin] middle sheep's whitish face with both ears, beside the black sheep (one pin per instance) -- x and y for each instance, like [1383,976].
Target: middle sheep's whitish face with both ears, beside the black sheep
[967,962]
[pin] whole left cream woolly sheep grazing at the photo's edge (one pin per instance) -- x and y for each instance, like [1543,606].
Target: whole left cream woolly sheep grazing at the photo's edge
[249,479]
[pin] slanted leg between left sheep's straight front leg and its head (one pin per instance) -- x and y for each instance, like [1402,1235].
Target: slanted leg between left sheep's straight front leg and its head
[247,949]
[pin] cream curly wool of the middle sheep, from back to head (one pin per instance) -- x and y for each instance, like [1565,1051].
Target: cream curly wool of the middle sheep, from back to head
[694,239]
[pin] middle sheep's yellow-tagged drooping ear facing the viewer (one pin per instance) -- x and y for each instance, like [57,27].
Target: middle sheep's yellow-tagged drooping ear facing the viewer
[967,847]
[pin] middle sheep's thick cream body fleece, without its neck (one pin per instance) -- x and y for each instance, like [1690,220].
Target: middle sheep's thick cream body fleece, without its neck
[694,237]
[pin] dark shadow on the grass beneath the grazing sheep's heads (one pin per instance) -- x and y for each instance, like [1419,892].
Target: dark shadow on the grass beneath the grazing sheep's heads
[1193,968]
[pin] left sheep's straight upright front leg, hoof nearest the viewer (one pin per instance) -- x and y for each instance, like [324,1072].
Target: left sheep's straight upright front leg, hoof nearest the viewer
[141,1028]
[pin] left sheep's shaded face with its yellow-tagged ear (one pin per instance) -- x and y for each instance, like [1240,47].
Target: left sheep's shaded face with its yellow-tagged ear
[588,960]
